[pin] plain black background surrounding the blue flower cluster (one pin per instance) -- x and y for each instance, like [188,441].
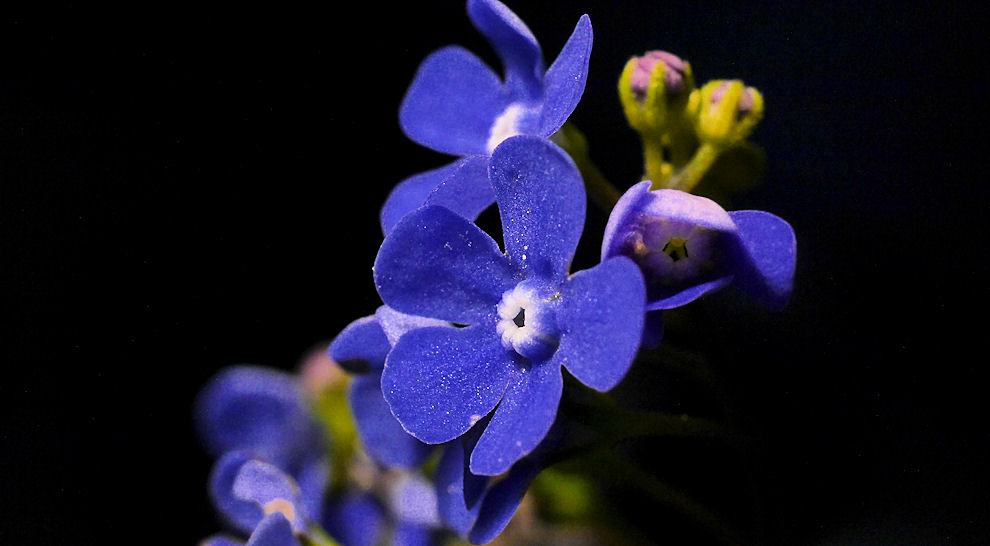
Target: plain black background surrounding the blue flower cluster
[186,188]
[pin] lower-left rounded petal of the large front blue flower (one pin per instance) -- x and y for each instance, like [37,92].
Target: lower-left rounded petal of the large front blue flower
[440,381]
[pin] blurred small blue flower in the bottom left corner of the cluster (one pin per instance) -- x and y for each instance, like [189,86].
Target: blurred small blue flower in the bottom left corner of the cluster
[258,499]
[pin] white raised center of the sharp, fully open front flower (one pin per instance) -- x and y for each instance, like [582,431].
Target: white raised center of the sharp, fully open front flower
[527,324]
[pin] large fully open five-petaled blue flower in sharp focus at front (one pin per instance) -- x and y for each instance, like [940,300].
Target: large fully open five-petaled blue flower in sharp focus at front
[524,315]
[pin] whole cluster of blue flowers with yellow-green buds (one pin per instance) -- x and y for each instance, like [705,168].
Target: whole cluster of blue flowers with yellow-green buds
[455,386]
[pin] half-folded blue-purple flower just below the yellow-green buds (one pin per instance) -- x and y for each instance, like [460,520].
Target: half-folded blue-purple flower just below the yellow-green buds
[687,246]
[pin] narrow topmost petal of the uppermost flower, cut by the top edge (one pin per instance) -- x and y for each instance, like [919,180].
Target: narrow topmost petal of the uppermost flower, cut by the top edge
[514,43]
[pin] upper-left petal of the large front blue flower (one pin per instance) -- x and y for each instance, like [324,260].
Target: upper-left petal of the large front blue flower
[436,264]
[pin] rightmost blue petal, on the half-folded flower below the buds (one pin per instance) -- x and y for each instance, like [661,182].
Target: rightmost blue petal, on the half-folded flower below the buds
[771,249]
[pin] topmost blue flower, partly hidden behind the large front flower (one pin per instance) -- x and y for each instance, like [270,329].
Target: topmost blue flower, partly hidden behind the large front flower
[458,105]
